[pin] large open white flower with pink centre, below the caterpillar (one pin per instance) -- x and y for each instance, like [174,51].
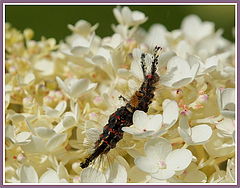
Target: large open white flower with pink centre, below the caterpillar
[160,161]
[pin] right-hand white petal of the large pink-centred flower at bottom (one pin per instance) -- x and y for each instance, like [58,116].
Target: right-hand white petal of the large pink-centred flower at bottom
[179,159]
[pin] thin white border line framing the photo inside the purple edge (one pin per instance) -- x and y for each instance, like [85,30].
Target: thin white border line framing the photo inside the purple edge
[131,4]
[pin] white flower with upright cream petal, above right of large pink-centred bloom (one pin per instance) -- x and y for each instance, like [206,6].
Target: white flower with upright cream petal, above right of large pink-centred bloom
[197,135]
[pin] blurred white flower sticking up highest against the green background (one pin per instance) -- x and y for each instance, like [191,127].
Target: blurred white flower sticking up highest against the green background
[127,17]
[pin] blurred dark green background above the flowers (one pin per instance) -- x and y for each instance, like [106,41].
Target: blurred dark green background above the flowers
[52,20]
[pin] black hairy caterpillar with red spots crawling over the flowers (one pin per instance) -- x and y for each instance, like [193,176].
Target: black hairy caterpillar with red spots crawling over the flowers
[112,132]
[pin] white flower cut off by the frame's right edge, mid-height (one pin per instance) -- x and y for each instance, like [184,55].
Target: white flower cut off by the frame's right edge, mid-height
[226,102]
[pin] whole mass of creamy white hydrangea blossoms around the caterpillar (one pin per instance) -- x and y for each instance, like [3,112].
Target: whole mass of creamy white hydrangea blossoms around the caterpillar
[58,97]
